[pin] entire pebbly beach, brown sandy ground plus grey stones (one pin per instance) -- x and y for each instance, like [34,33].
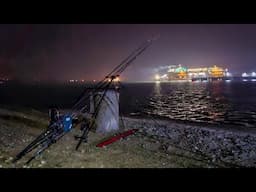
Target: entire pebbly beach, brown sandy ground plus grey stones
[156,144]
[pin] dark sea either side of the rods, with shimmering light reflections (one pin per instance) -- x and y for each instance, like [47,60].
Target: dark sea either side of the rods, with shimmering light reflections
[213,102]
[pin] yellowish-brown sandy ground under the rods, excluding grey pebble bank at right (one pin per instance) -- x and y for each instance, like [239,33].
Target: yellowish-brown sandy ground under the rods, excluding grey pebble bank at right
[20,126]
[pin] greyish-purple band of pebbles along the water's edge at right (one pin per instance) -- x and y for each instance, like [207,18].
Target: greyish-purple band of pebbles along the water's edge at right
[219,144]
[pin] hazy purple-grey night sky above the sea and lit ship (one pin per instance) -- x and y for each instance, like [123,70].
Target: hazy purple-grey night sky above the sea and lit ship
[57,52]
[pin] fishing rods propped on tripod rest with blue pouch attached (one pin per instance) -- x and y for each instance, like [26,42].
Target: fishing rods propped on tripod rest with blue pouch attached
[64,124]
